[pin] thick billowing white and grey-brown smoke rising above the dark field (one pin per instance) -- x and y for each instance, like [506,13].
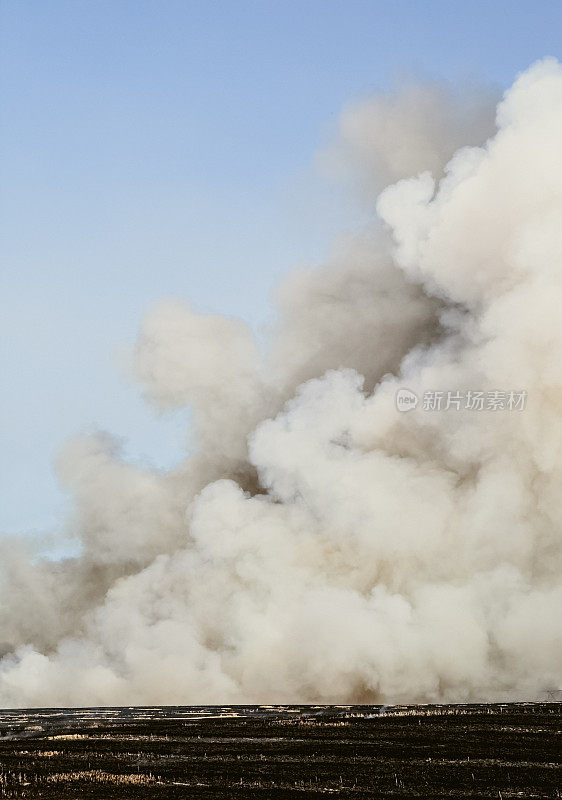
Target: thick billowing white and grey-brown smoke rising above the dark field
[322,545]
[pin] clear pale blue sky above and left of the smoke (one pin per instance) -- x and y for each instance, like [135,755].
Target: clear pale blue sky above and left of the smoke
[157,147]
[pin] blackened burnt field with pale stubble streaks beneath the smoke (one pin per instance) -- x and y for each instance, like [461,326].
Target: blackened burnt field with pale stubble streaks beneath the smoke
[470,751]
